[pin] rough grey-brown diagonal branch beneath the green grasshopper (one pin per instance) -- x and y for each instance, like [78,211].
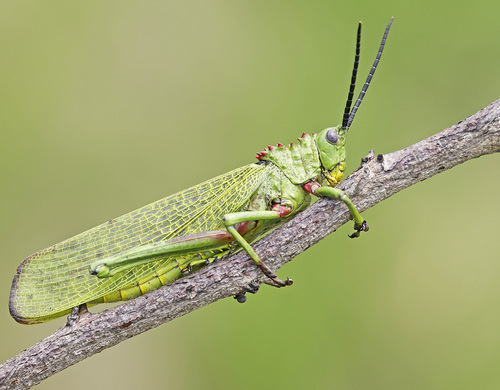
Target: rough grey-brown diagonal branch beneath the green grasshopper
[377,179]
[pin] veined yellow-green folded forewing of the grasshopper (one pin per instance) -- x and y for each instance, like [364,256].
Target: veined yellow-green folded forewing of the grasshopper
[50,282]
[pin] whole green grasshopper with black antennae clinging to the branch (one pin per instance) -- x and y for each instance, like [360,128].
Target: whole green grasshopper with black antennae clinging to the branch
[161,242]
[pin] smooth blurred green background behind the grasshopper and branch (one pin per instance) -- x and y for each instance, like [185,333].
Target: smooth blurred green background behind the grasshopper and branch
[107,106]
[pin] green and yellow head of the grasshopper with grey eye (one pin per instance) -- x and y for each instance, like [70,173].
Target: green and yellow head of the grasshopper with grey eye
[332,153]
